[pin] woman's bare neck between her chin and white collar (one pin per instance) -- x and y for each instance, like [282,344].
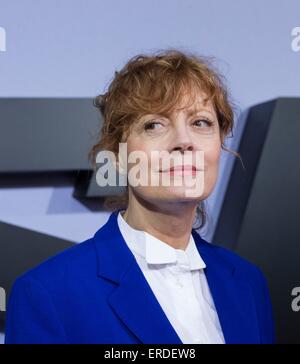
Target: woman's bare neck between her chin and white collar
[170,222]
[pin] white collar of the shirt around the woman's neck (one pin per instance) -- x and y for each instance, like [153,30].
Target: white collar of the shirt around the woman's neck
[155,251]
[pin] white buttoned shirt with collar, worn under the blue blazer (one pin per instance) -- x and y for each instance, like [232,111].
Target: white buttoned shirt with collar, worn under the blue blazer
[178,281]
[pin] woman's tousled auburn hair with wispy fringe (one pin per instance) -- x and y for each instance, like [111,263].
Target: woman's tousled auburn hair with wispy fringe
[154,84]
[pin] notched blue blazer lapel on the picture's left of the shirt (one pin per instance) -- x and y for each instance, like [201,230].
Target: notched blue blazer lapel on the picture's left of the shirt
[132,298]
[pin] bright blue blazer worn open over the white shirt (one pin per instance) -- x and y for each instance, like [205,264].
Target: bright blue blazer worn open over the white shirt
[95,292]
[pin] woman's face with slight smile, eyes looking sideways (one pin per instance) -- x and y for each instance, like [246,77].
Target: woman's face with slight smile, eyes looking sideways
[189,140]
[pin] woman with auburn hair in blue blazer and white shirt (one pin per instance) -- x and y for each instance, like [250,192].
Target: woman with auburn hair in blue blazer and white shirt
[147,276]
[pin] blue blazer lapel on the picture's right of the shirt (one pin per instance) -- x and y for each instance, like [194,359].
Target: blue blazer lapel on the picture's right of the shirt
[232,296]
